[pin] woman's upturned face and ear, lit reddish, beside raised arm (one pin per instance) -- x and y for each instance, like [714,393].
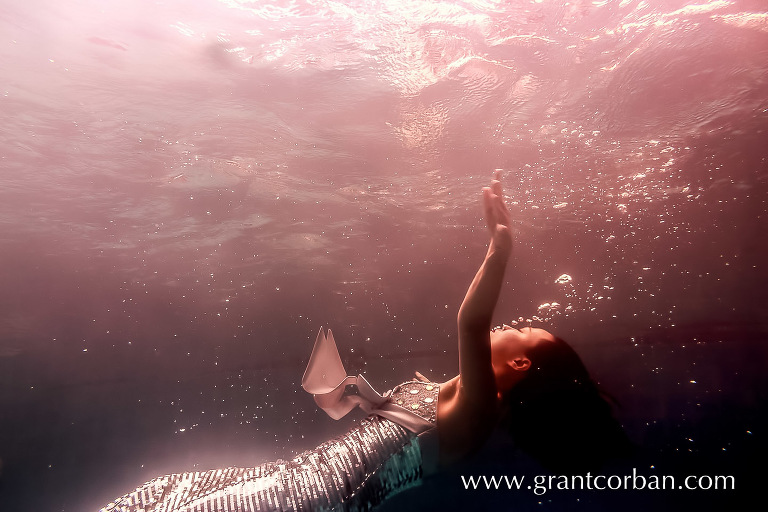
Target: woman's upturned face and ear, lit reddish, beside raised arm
[509,349]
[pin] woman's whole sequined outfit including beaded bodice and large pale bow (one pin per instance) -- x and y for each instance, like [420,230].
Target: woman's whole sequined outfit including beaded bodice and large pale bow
[352,473]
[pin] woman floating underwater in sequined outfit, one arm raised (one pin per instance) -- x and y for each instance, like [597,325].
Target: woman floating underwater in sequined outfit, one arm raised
[528,381]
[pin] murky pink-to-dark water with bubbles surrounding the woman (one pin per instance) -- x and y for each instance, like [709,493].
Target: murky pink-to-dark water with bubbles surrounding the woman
[189,190]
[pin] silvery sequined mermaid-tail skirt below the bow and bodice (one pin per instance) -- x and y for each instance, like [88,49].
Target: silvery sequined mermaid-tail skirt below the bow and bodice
[354,472]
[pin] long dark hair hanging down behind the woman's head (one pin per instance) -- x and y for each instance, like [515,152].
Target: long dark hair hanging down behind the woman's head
[558,415]
